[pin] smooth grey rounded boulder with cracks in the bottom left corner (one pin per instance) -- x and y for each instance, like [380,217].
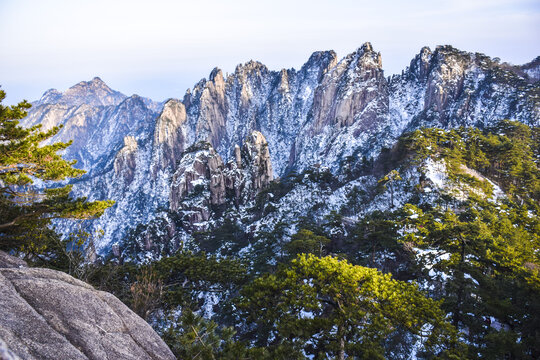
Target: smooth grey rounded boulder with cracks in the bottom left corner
[47,314]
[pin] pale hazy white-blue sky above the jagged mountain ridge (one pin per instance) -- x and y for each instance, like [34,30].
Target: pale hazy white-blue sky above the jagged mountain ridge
[159,48]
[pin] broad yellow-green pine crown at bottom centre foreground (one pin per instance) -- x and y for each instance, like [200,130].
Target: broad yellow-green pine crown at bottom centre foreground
[327,307]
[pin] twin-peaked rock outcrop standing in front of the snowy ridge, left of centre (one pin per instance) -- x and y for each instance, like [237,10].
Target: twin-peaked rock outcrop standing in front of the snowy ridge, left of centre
[202,180]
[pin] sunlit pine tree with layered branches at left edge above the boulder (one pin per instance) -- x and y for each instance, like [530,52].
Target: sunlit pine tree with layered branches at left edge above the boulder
[26,211]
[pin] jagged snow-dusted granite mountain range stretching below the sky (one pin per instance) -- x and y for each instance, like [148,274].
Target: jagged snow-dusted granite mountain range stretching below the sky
[183,166]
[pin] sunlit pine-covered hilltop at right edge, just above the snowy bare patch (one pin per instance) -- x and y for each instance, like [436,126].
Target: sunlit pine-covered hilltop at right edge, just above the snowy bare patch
[506,153]
